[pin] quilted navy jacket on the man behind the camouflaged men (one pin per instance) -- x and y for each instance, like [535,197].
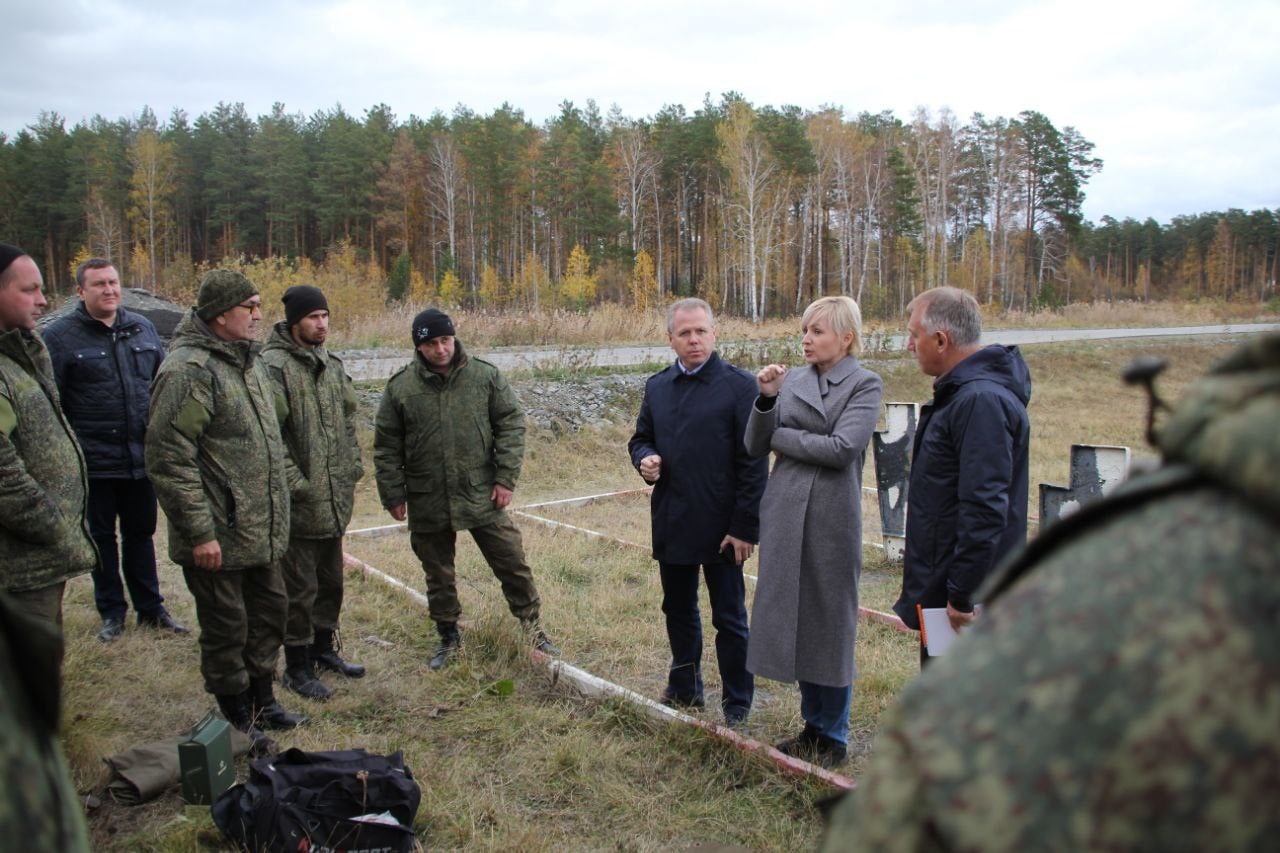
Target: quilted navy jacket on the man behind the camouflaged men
[104,376]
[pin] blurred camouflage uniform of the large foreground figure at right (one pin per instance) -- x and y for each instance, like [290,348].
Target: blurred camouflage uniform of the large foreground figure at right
[1122,690]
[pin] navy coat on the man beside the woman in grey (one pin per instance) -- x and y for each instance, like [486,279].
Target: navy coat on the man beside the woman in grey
[710,486]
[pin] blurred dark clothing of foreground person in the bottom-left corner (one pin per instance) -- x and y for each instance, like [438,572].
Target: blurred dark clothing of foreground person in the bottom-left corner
[39,806]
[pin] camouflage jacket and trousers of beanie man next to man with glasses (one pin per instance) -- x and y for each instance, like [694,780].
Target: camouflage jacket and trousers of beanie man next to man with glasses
[318,417]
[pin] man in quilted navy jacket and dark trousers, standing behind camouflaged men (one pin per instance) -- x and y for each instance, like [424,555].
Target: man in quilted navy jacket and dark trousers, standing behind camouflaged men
[104,361]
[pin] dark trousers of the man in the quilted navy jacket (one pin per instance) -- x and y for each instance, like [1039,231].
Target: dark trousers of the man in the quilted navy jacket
[134,503]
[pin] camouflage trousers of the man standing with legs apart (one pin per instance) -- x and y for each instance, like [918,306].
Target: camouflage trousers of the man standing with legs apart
[505,553]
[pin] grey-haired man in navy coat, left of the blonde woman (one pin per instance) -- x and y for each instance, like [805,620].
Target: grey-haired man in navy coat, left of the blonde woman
[706,504]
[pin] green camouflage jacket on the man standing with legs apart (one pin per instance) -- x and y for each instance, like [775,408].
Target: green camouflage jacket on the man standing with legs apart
[441,444]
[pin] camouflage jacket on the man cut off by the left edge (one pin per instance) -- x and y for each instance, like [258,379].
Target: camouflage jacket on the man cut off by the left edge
[44,487]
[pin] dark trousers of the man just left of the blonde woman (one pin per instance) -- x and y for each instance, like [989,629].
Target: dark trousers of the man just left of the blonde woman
[728,594]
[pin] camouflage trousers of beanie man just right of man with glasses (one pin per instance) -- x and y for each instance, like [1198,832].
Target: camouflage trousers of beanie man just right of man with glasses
[313,577]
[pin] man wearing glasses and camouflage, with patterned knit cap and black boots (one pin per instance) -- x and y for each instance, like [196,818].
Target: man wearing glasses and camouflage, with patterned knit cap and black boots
[217,460]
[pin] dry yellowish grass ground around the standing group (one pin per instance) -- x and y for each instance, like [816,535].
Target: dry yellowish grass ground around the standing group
[545,768]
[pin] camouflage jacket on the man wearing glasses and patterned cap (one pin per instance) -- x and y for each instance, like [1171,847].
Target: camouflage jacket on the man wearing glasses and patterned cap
[214,450]
